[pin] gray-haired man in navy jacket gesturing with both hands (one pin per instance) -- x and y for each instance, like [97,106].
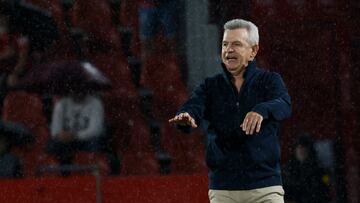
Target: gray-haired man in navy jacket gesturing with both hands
[243,107]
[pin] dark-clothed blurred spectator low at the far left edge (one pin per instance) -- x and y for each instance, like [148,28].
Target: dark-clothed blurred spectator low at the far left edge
[10,166]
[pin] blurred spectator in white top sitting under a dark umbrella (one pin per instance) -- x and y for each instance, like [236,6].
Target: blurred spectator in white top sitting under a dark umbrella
[77,125]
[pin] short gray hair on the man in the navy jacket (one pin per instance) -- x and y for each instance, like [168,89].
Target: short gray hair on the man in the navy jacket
[249,26]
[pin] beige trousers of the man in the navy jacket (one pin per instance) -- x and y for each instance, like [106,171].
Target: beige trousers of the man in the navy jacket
[273,194]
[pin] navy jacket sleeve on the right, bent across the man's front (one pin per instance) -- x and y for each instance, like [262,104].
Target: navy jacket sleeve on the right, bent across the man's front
[278,102]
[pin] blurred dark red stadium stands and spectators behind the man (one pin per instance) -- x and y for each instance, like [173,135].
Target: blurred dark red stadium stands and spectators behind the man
[135,62]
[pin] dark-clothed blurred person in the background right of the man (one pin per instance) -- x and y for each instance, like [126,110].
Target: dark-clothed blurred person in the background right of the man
[303,177]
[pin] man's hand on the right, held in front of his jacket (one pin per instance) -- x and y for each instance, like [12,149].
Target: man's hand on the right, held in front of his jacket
[252,123]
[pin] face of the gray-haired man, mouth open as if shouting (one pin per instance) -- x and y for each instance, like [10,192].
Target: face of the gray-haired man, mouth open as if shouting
[236,50]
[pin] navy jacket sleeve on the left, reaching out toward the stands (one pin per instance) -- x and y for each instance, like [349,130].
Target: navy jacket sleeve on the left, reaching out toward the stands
[195,106]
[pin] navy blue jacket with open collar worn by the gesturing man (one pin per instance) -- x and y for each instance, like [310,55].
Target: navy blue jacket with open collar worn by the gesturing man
[238,161]
